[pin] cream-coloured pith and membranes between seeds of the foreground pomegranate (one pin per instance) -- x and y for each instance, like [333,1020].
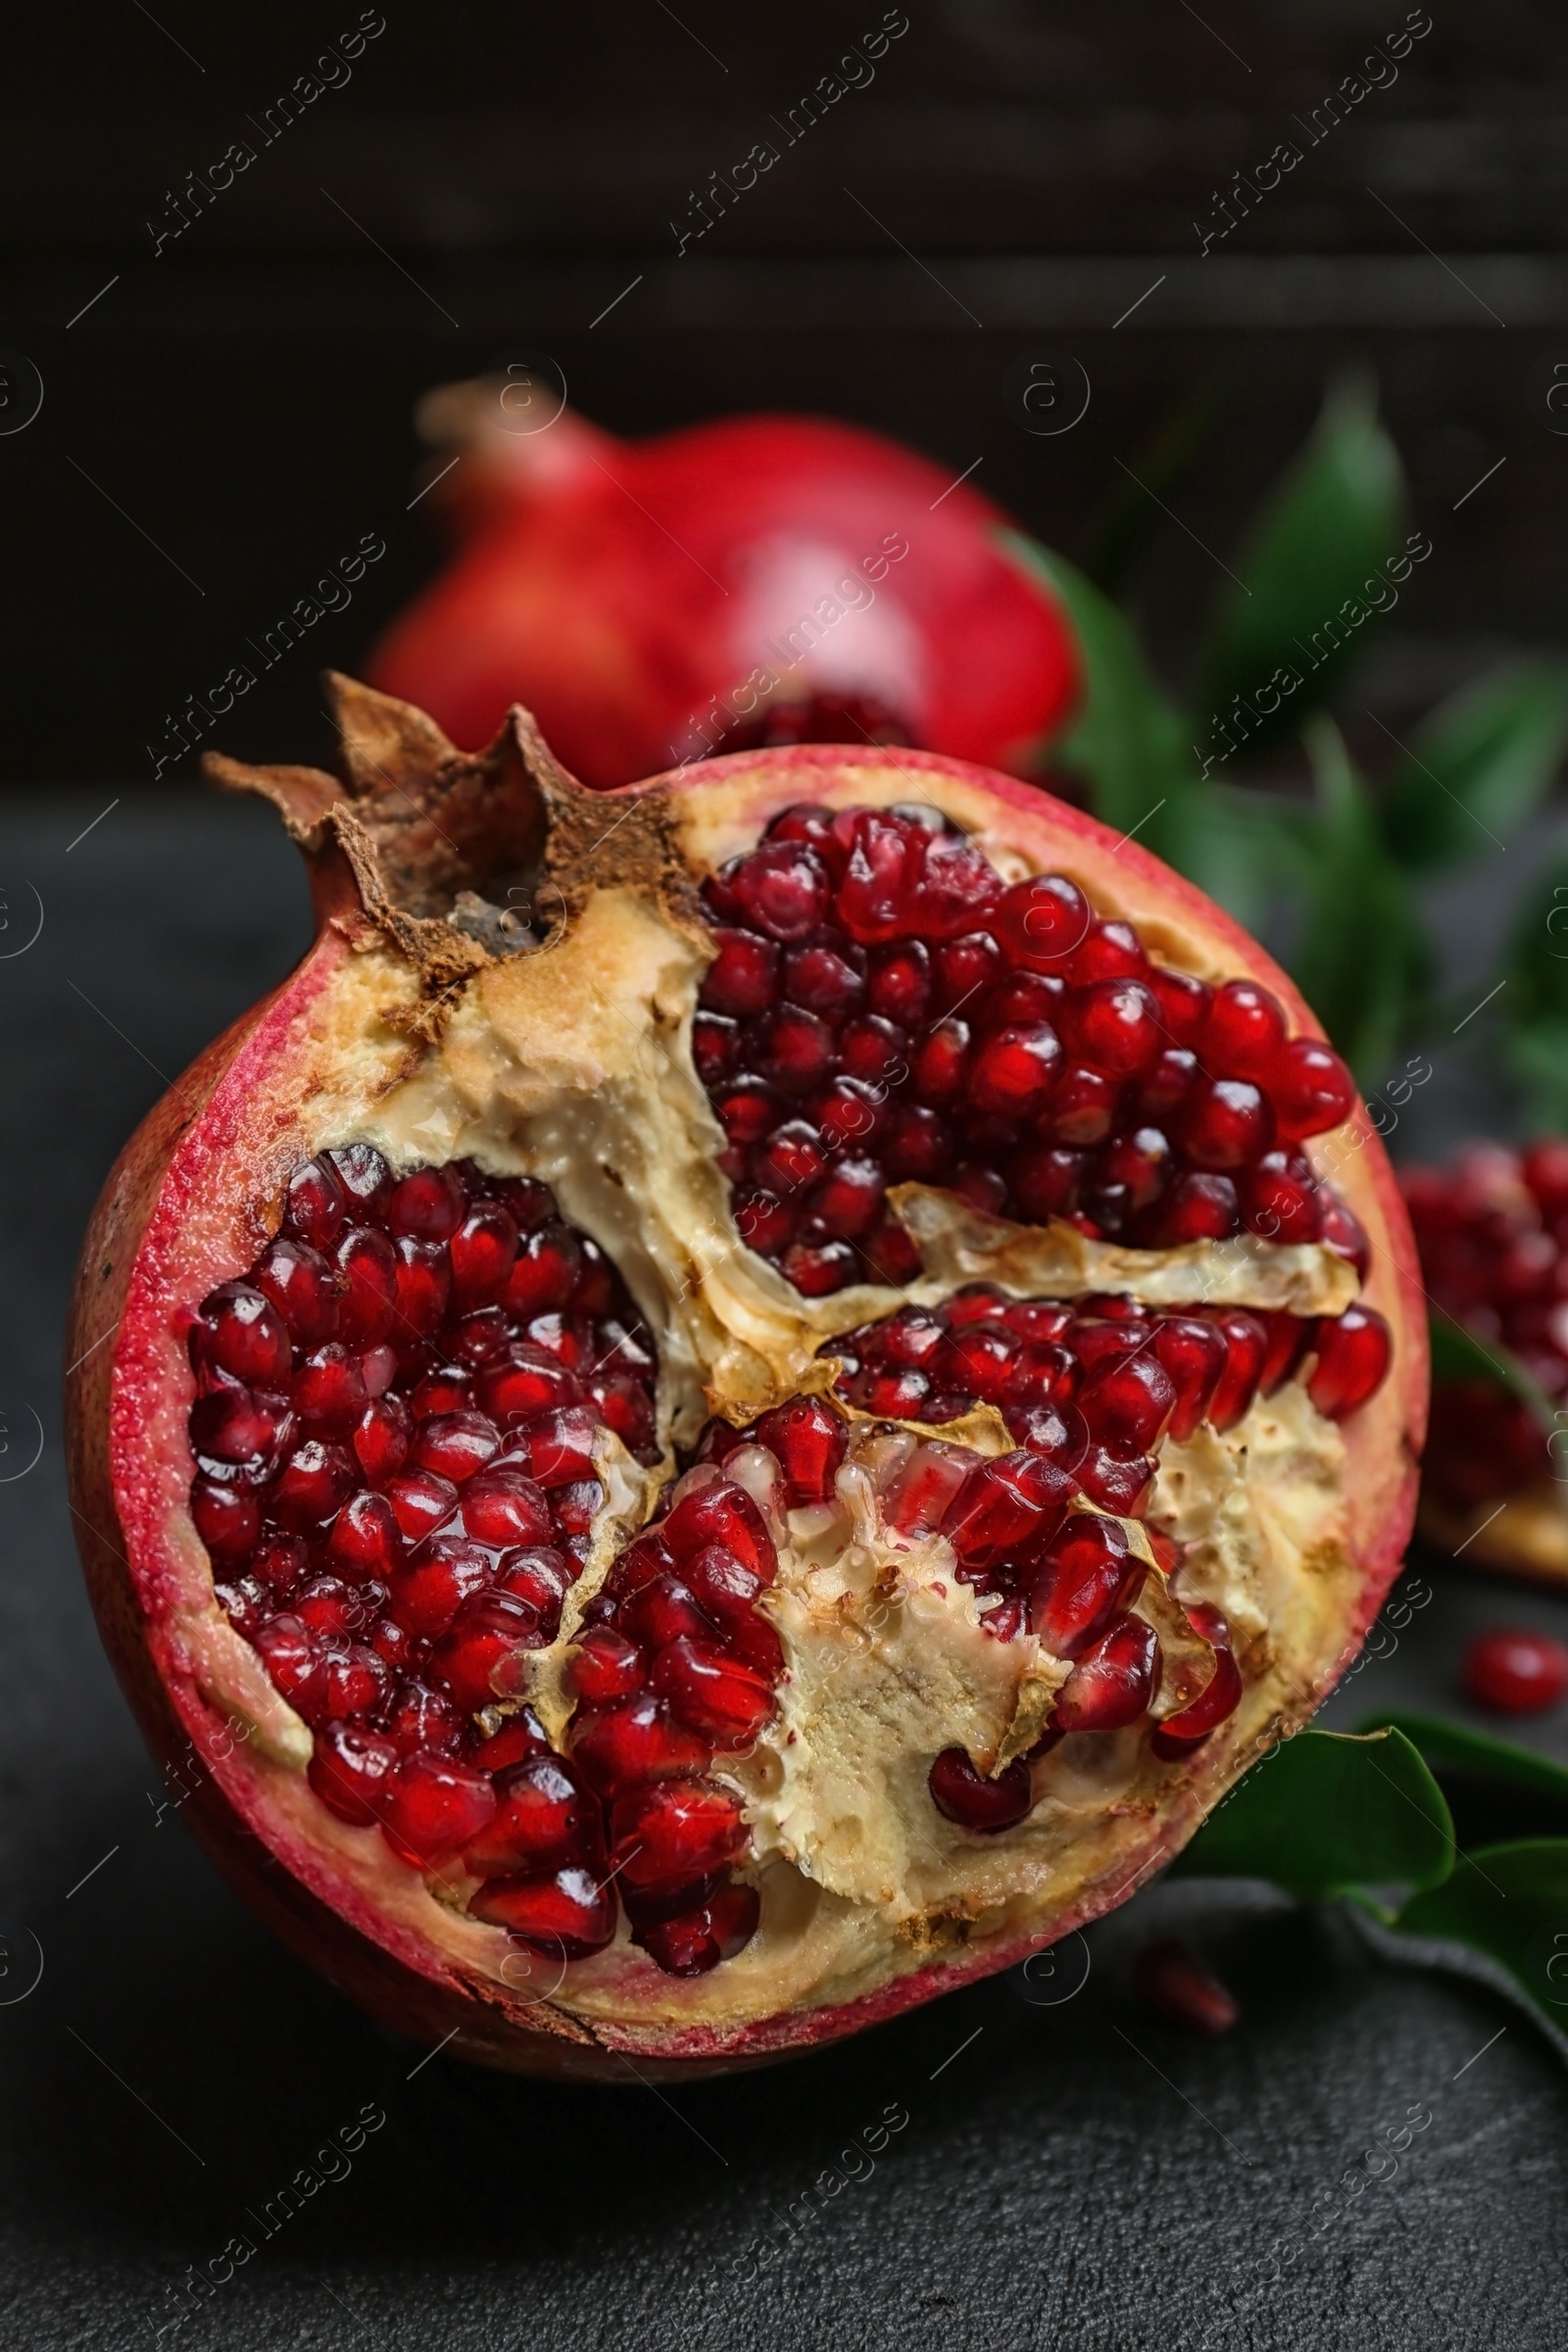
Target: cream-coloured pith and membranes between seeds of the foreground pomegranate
[572,1064]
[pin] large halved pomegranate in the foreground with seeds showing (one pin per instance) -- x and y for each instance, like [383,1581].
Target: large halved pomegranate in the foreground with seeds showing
[737,1405]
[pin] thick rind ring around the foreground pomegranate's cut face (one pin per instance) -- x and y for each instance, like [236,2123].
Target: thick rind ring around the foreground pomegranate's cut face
[180,1215]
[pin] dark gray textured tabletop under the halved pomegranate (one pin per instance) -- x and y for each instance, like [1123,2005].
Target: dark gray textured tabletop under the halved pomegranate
[1071,2174]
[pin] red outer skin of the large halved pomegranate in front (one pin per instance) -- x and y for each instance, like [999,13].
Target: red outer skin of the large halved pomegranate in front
[163,1234]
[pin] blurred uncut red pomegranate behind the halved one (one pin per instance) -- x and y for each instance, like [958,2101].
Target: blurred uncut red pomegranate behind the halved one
[763,580]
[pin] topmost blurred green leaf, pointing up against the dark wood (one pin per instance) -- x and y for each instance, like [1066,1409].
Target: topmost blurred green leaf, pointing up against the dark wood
[1313,575]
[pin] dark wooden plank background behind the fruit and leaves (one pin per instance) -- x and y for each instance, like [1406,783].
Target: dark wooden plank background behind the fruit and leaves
[243,399]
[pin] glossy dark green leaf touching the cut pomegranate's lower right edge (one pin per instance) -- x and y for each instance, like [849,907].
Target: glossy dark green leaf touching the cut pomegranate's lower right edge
[1329,1815]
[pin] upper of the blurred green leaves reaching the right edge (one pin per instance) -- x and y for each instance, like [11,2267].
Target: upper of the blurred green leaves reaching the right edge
[1477,770]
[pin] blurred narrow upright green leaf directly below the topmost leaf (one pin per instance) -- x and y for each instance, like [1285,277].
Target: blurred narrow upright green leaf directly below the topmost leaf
[1362,956]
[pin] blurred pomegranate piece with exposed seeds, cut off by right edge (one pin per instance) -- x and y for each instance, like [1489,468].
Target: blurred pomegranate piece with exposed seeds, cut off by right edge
[1494,1245]
